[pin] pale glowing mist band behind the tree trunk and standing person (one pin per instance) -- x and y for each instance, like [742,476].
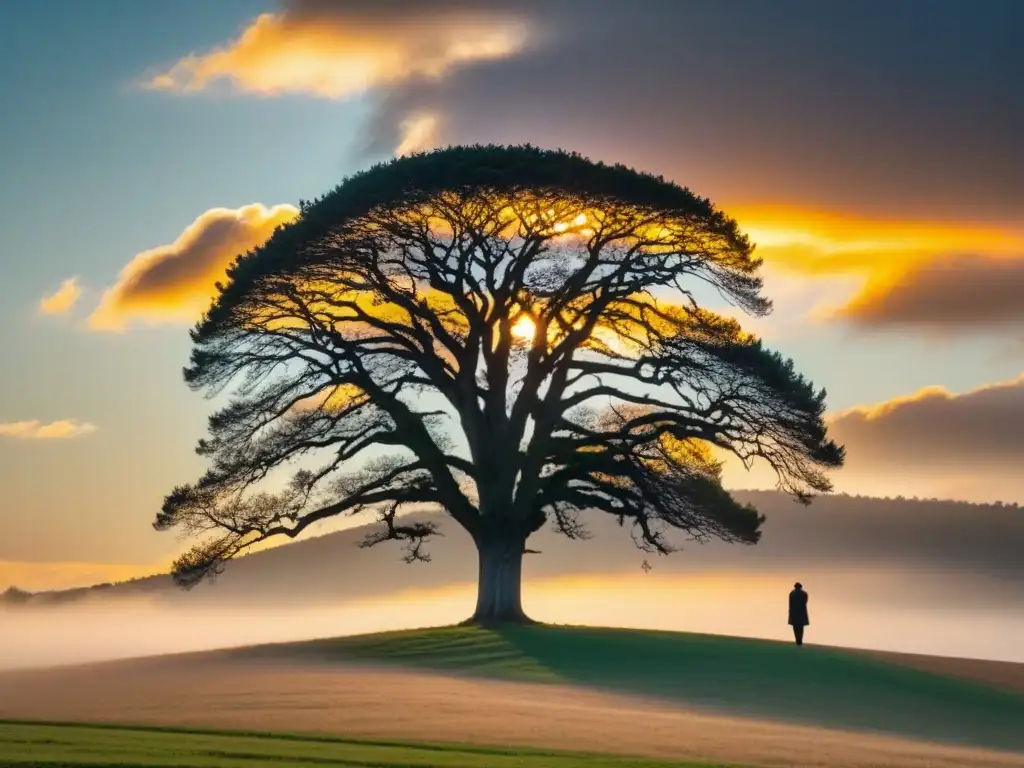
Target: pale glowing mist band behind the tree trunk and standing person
[919,612]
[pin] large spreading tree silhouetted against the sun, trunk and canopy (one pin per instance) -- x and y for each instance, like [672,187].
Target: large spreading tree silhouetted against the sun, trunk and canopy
[511,335]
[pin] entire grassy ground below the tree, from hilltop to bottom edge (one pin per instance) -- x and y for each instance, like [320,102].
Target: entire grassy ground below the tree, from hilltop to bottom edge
[316,688]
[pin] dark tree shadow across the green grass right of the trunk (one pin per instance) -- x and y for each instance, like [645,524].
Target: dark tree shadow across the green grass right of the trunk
[778,680]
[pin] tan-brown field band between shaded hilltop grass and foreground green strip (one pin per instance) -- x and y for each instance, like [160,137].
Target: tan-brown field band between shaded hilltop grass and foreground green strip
[301,696]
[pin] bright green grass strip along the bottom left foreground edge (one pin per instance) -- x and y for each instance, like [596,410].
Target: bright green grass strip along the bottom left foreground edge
[51,746]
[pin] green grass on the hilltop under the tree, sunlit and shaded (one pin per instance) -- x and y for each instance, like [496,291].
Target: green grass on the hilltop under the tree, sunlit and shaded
[809,685]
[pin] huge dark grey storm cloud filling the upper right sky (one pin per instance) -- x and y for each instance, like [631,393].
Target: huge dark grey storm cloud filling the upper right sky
[907,108]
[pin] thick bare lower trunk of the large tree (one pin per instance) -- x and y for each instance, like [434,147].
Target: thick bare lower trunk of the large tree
[499,596]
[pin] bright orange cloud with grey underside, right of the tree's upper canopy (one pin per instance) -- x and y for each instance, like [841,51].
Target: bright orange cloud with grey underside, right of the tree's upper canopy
[877,273]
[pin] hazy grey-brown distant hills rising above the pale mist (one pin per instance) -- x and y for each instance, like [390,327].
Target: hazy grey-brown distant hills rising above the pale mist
[954,534]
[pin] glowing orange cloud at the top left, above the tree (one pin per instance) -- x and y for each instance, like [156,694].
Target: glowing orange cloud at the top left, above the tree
[335,54]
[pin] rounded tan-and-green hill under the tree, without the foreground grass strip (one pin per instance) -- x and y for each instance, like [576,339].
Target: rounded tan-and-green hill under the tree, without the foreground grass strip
[513,685]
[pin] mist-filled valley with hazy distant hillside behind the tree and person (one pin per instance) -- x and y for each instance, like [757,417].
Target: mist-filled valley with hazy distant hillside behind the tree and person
[937,578]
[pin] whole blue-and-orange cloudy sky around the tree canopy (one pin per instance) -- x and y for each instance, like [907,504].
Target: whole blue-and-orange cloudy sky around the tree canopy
[872,151]
